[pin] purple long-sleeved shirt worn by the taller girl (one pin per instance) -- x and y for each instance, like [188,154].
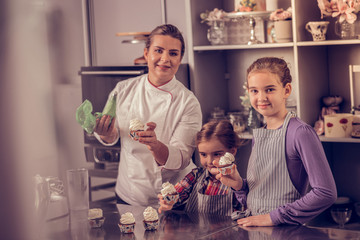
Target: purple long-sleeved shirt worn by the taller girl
[307,165]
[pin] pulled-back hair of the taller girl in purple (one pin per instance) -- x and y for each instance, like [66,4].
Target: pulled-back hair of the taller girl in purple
[273,65]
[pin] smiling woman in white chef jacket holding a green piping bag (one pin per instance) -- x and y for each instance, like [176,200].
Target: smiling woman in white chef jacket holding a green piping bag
[172,115]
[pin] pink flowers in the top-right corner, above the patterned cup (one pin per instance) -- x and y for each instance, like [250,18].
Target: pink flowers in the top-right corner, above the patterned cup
[346,10]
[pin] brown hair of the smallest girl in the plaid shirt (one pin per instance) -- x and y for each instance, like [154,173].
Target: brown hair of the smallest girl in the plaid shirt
[223,130]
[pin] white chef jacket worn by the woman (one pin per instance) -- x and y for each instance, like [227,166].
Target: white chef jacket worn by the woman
[177,114]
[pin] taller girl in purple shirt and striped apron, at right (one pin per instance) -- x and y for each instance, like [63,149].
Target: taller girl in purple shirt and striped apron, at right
[289,180]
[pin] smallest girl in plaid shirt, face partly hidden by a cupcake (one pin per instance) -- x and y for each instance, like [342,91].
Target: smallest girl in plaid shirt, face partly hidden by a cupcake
[199,191]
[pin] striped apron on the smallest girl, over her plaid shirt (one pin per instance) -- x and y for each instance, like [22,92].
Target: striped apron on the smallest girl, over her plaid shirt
[210,204]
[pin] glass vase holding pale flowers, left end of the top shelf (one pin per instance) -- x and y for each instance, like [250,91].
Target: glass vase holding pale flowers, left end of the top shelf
[217,33]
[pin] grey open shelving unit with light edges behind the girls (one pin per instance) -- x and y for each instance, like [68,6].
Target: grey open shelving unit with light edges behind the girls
[218,72]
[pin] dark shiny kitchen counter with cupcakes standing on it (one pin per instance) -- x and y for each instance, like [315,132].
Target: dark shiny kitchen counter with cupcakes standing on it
[179,225]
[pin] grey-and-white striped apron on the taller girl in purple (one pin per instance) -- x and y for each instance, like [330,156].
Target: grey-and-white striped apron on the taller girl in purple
[268,178]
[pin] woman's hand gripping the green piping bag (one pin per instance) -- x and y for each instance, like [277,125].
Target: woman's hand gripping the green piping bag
[105,127]
